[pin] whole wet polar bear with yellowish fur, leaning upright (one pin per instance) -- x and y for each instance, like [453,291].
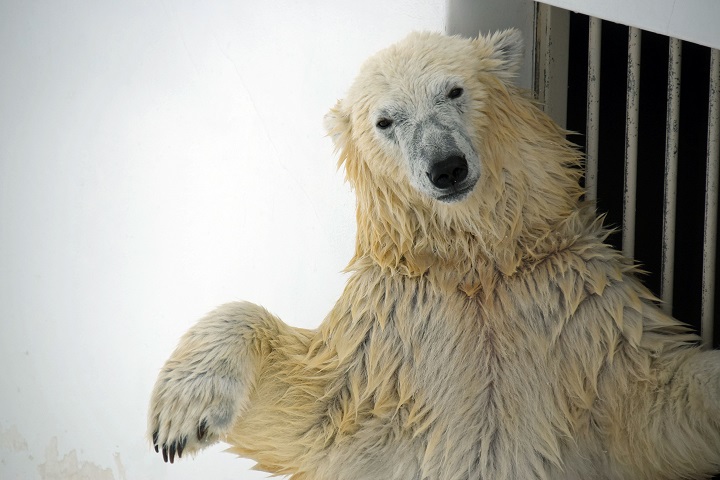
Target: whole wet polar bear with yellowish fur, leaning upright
[486,330]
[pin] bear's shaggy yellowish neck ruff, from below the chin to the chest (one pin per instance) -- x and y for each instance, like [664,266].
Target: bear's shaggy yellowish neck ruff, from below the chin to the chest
[499,230]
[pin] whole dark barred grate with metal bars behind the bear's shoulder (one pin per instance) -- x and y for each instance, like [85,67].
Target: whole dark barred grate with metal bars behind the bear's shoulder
[630,123]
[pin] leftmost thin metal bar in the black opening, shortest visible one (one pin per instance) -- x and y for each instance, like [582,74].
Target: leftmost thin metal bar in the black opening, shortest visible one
[593,108]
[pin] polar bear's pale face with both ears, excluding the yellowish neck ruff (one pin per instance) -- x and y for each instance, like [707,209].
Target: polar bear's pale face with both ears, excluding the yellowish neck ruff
[414,114]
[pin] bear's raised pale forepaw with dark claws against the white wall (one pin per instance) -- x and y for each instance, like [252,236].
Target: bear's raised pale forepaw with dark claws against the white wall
[206,382]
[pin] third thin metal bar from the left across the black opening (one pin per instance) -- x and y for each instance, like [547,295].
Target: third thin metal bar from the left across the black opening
[671,147]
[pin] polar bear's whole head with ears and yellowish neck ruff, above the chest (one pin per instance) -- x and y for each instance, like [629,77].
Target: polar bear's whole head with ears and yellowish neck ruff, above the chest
[447,156]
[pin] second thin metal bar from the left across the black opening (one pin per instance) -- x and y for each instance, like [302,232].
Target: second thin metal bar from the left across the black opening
[631,140]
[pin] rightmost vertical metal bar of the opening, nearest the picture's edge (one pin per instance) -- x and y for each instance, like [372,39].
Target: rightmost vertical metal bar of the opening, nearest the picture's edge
[711,202]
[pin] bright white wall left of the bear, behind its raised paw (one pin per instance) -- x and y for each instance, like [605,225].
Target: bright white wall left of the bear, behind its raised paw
[158,159]
